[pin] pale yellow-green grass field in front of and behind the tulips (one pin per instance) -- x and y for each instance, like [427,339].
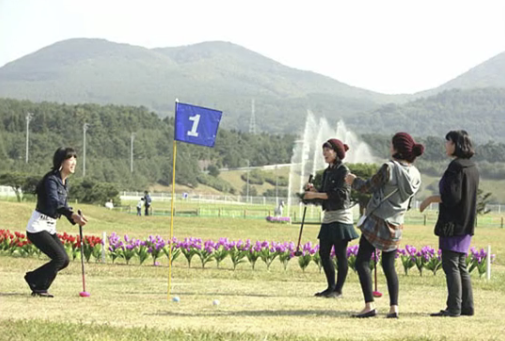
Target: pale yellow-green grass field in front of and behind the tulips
[130,302]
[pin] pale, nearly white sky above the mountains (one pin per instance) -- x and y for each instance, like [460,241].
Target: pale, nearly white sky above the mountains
[388,46]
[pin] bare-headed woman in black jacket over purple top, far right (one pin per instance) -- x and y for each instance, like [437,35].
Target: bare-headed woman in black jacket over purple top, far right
[456,220]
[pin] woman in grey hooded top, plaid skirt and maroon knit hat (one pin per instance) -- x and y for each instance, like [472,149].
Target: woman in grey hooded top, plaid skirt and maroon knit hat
[392,189]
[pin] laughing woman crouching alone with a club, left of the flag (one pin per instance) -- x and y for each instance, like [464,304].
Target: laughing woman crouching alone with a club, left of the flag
[41,229]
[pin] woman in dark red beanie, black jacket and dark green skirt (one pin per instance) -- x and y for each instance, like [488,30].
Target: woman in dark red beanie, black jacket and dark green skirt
[337,228]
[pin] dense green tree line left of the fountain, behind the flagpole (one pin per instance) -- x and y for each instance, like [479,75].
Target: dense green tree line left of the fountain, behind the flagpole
[109,135]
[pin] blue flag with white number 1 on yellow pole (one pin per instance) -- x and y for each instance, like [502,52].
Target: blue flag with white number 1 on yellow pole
[196,125]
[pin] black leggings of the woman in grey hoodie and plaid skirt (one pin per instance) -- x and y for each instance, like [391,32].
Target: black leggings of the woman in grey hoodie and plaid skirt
[388,265]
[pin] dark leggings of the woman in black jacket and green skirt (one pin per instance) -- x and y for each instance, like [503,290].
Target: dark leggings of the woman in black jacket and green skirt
[329,269]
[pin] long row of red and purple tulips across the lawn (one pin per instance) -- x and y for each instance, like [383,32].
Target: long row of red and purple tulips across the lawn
[155,247]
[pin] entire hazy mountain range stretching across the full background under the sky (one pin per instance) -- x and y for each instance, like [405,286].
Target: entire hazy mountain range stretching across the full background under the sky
[228,77]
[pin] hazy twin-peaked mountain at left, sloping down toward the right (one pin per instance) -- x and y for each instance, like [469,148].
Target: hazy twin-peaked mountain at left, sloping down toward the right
[213,74]
